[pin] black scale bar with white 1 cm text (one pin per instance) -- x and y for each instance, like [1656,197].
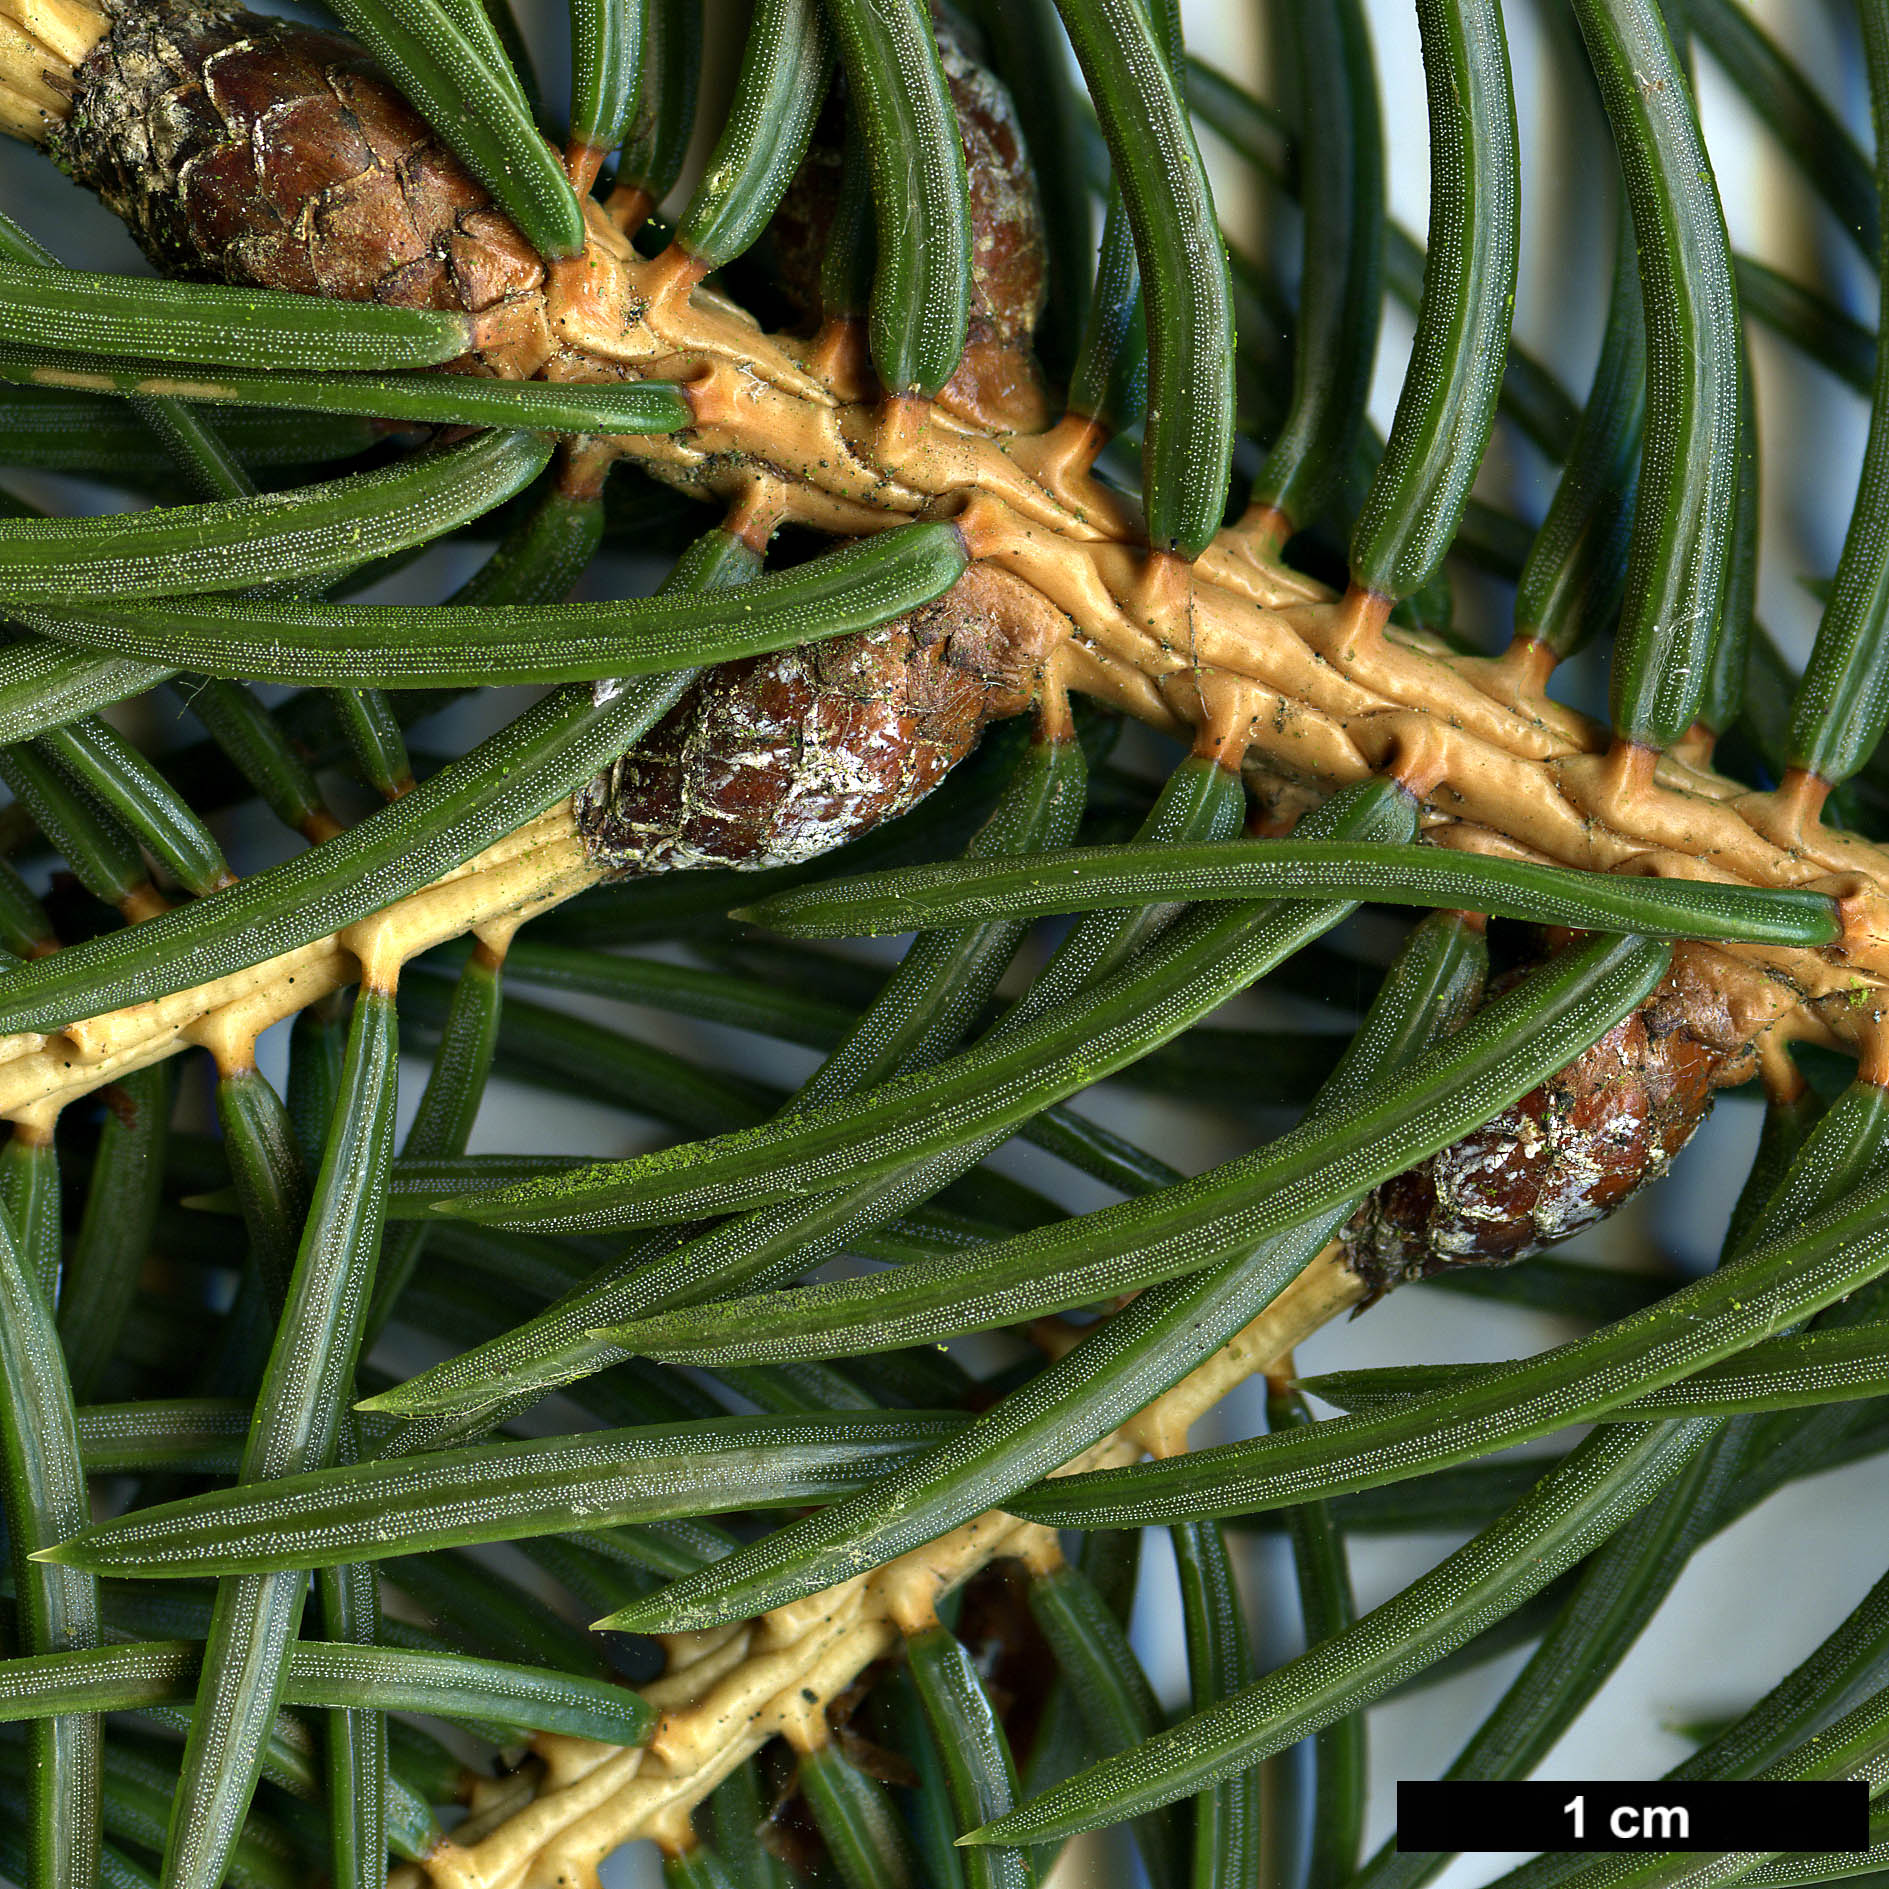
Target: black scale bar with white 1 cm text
[1633,1816]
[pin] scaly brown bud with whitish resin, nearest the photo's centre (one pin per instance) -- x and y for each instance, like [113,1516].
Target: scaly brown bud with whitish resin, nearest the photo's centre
[781,758]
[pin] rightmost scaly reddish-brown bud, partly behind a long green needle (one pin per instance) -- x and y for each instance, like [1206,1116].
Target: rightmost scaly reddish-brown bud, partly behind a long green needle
[1571,1151]
